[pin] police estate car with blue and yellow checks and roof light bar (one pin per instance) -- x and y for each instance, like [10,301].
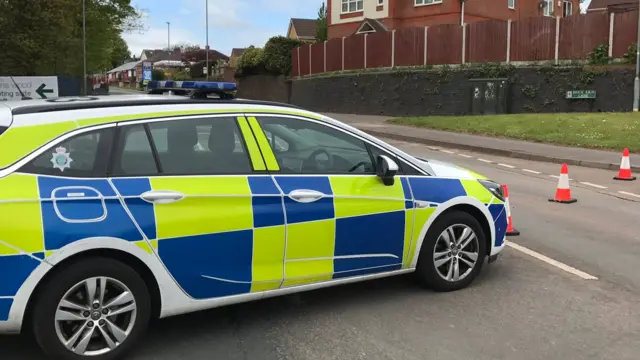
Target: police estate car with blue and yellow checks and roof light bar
[119,209]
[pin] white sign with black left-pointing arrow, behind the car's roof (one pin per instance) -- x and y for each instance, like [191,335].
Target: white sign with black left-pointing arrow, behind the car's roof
[35,87]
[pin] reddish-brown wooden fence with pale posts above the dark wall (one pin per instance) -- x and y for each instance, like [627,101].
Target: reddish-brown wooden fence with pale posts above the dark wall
[527,40]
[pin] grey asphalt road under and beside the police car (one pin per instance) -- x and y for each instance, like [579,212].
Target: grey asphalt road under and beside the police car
[519,308]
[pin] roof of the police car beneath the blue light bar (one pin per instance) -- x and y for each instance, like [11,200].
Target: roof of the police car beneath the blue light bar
[22,107]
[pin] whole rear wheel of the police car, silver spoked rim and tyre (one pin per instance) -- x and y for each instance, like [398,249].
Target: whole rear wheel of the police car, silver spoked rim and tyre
[96,308]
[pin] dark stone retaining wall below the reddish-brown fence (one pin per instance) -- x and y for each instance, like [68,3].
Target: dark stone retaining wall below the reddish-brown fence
[448,91]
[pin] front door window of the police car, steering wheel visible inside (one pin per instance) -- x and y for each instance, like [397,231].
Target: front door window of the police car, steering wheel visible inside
[306,147]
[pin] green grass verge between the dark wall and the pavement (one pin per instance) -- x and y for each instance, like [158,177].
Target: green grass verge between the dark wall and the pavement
[591,130]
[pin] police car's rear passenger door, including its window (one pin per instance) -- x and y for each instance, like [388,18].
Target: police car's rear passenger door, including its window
[199,190]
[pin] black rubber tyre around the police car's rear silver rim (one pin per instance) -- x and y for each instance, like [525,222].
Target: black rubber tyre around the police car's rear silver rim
[46,328]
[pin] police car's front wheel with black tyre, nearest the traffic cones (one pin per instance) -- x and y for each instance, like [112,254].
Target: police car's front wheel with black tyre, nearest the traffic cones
[435,252]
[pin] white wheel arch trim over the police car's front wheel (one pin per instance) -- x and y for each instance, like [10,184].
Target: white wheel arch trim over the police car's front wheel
[467,204]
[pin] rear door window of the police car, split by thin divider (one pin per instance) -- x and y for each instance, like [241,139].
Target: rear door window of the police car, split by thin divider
[210,146]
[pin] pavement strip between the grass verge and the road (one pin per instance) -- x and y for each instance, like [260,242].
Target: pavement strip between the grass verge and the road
[376,125]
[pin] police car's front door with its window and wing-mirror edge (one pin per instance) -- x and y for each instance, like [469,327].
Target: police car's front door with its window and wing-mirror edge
[341,219]
